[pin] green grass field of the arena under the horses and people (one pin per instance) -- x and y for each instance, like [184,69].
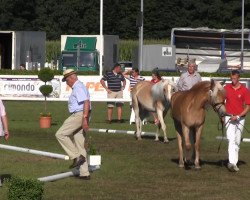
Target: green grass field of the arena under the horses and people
[130,169]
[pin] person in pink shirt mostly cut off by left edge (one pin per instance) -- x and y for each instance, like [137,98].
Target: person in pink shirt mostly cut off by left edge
[4,128]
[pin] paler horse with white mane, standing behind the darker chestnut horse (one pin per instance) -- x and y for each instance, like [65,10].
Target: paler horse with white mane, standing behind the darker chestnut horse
[148,97]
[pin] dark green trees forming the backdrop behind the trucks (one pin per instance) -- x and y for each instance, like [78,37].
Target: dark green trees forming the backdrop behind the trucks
[83,17]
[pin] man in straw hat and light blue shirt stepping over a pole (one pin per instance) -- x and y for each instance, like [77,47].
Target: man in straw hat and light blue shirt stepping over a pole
[71,134]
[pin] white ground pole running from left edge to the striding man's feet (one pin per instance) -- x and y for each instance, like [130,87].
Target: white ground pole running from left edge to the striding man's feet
[32,151]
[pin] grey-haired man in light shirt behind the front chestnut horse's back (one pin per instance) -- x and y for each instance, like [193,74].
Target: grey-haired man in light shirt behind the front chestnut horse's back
[190,78]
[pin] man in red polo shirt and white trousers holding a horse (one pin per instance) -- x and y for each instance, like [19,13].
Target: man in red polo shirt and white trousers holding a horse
[237,106]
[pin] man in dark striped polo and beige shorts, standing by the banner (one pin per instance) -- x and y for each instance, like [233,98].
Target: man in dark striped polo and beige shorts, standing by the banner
[115,85]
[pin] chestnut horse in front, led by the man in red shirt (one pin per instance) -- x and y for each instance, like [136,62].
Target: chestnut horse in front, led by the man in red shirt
[189,110]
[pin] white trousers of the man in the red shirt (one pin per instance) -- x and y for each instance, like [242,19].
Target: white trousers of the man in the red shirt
[234,132]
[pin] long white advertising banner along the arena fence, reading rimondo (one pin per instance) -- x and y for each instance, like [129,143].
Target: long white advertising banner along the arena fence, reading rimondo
[27,87]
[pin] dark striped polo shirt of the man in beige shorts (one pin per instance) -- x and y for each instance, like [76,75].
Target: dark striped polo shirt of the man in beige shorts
[114,81]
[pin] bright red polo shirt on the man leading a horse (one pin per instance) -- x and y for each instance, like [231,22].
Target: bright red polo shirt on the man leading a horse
[236,99]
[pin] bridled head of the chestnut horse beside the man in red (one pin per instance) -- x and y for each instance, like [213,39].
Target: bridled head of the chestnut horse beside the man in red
[217,97]
